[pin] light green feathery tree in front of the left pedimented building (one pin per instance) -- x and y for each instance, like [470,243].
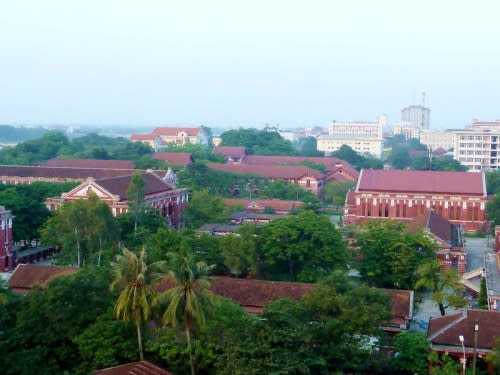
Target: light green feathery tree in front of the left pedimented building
[82,228]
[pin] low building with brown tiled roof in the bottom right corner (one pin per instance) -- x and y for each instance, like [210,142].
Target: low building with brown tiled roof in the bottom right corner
[444,334]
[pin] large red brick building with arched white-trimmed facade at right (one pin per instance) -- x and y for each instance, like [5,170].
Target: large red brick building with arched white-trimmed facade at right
[402,195]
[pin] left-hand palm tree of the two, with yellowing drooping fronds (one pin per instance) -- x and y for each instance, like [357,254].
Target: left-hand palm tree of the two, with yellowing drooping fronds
[133,278]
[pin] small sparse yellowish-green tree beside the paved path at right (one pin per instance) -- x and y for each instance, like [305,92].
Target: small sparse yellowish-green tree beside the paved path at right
[445,285]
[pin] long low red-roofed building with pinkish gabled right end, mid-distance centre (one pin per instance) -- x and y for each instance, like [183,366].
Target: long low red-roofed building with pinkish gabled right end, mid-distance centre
[308,179]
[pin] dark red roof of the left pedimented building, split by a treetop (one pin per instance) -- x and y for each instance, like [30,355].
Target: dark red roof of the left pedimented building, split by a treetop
[119,185]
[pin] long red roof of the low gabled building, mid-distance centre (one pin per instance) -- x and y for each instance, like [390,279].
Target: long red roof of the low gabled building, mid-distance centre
[269,171]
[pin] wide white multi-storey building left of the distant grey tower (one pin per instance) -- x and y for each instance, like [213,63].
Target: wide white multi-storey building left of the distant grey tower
[363,137]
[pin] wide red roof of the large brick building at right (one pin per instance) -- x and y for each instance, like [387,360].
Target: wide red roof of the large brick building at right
[462,183]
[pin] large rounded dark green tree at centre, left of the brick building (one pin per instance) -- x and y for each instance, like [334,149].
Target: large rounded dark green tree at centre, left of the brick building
[304,247]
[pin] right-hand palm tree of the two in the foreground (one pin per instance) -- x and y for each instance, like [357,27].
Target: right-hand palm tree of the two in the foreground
[189,300]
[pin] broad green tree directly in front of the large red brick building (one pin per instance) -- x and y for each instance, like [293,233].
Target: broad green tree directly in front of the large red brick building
[390,255]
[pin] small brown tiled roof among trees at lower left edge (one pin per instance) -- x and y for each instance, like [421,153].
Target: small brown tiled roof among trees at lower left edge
[26,276]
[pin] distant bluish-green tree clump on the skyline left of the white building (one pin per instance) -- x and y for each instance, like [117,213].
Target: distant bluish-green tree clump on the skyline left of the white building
[257,142]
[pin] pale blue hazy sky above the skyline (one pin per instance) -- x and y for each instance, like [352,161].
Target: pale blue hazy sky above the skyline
[246,63]
